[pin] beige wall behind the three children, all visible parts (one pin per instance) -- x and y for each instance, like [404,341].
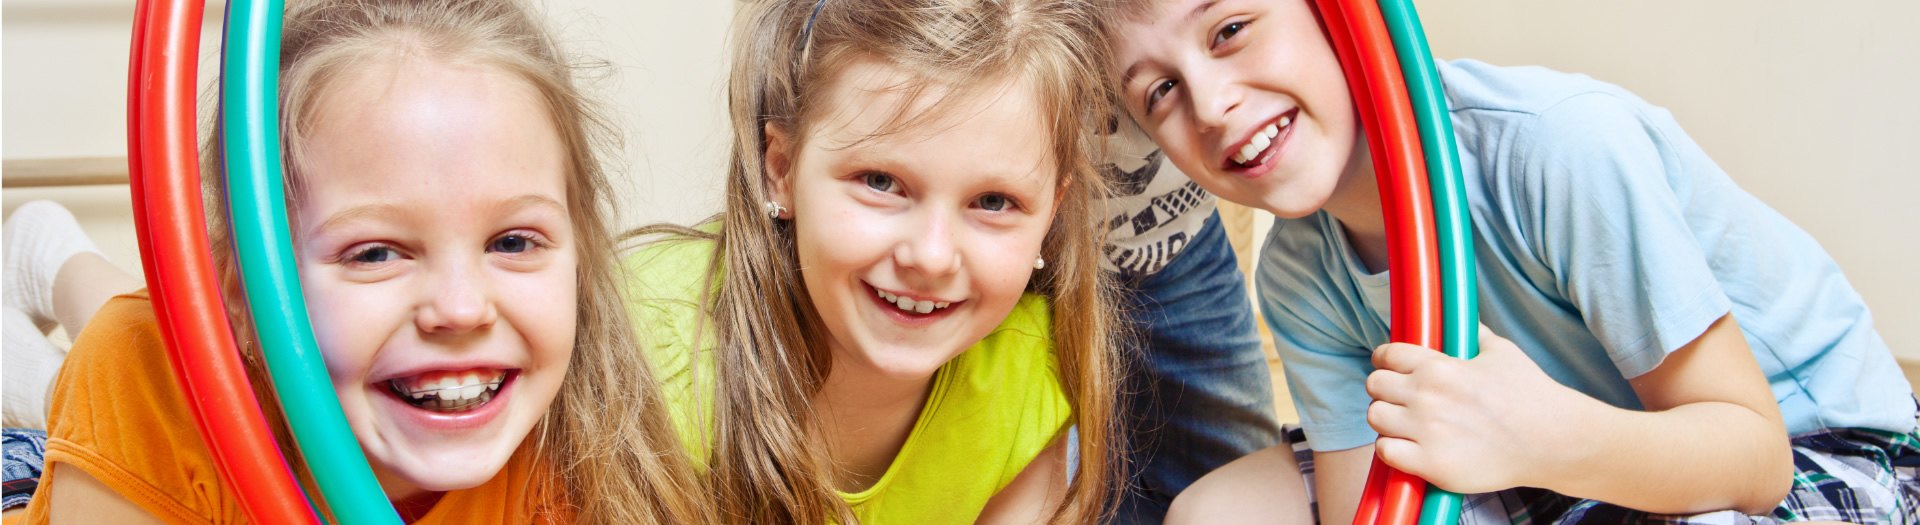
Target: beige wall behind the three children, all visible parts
[1808,109]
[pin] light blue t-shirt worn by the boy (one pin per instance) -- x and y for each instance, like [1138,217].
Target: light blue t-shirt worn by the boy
[1606,239]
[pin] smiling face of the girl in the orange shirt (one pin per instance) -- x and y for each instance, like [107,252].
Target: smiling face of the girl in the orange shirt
[439,257]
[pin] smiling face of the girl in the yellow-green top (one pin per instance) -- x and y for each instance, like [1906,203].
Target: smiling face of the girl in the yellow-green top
[915,245]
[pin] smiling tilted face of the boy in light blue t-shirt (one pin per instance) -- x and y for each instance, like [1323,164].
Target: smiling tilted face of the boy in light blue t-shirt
[1243,95]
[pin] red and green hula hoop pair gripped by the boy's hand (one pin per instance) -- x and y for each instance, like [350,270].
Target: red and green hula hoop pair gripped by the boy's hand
[1426,209]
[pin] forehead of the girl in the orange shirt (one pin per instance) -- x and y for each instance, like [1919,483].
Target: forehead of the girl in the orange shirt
[431,134]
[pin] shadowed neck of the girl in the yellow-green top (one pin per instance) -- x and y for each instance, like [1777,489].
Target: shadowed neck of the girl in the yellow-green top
[865,420]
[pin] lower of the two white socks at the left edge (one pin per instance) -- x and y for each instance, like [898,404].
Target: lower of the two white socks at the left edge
[30,366]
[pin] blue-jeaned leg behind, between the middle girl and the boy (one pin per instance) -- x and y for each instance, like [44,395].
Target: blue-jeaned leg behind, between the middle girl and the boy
[1201,386]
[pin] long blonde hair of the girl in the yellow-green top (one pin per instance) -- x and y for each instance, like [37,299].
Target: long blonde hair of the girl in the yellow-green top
[771,349]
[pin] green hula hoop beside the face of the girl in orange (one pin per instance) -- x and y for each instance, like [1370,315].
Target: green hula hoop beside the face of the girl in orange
[268,270]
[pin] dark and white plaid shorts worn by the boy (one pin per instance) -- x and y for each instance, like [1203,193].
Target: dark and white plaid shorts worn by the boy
[1838,476]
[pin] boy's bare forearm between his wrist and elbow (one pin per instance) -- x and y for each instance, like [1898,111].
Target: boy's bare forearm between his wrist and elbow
[1687,461]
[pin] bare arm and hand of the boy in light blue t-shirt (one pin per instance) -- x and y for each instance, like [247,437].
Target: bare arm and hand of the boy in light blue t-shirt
[1710,439]
